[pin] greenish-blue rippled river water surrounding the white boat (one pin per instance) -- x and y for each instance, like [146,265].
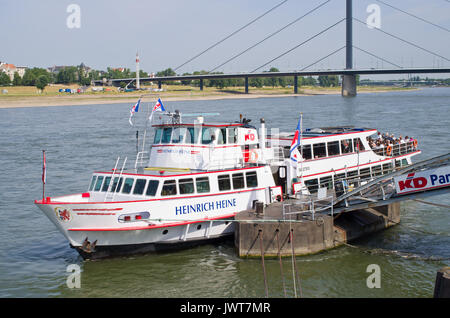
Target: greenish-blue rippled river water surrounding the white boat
[34,256]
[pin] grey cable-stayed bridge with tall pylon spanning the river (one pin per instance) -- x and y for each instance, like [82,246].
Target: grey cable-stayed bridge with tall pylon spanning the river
[348,74]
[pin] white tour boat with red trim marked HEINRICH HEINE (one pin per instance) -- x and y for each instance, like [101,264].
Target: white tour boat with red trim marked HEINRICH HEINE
[195,177]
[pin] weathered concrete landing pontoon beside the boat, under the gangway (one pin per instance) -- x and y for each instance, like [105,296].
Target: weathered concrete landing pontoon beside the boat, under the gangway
[303,234]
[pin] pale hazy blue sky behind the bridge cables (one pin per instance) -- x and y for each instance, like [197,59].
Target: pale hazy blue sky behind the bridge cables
[167,33]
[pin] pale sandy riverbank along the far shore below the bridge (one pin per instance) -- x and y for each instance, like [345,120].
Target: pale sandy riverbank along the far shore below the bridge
[61,99]
